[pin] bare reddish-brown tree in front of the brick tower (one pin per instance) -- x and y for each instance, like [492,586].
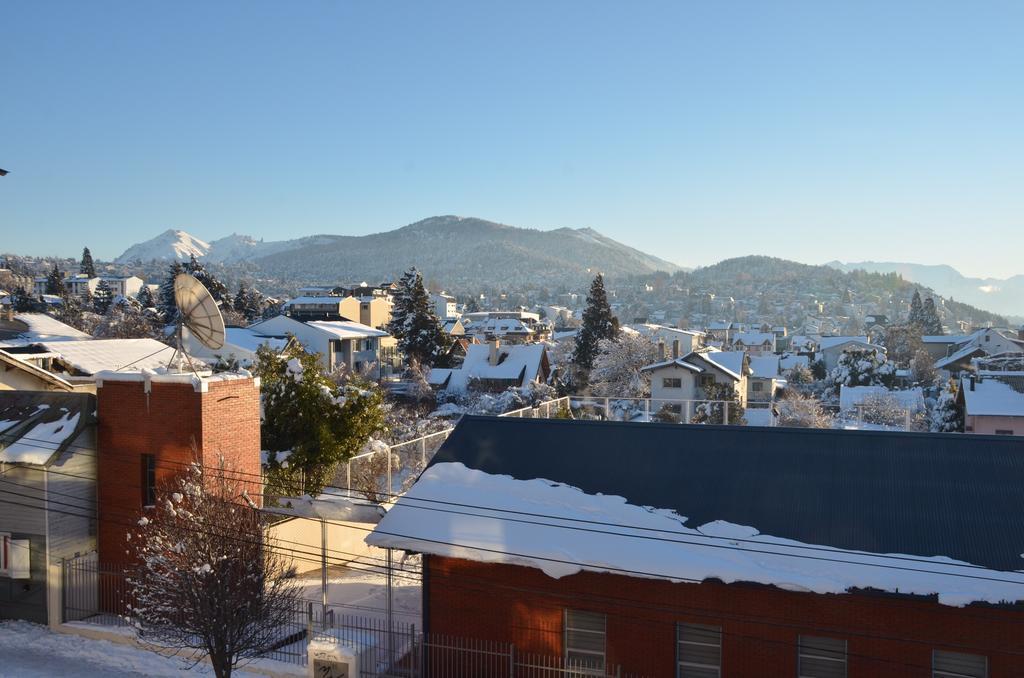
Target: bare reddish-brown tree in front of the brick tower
[208,583]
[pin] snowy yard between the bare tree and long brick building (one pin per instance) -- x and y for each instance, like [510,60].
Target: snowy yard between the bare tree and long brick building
[365,594]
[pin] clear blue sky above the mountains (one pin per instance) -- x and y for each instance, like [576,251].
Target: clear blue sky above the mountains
[694,131]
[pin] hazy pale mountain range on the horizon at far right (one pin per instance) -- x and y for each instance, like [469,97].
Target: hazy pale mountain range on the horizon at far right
[1001,296]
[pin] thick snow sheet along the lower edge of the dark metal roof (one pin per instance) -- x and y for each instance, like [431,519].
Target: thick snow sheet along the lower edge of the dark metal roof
[560,548]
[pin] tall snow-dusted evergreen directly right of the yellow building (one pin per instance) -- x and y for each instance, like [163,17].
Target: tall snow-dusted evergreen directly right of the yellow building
[414,324]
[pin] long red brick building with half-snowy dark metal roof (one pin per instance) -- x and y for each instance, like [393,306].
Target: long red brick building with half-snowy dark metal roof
[706,552]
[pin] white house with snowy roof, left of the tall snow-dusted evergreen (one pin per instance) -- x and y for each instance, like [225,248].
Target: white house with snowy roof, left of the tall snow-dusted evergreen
[339,344]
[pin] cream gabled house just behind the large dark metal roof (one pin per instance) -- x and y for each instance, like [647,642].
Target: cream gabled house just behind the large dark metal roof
[682,379]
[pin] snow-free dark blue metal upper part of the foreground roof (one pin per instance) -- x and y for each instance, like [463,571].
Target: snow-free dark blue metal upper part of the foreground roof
[917,494]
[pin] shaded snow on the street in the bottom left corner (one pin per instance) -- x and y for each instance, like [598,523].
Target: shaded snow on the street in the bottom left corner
[36,652]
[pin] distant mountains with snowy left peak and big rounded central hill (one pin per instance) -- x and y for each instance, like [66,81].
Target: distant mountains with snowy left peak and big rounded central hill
[452,249]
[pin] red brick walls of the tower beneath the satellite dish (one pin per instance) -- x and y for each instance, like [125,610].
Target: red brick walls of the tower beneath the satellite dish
[167,422]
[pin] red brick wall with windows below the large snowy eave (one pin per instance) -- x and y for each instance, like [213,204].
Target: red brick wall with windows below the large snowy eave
[887,637]
